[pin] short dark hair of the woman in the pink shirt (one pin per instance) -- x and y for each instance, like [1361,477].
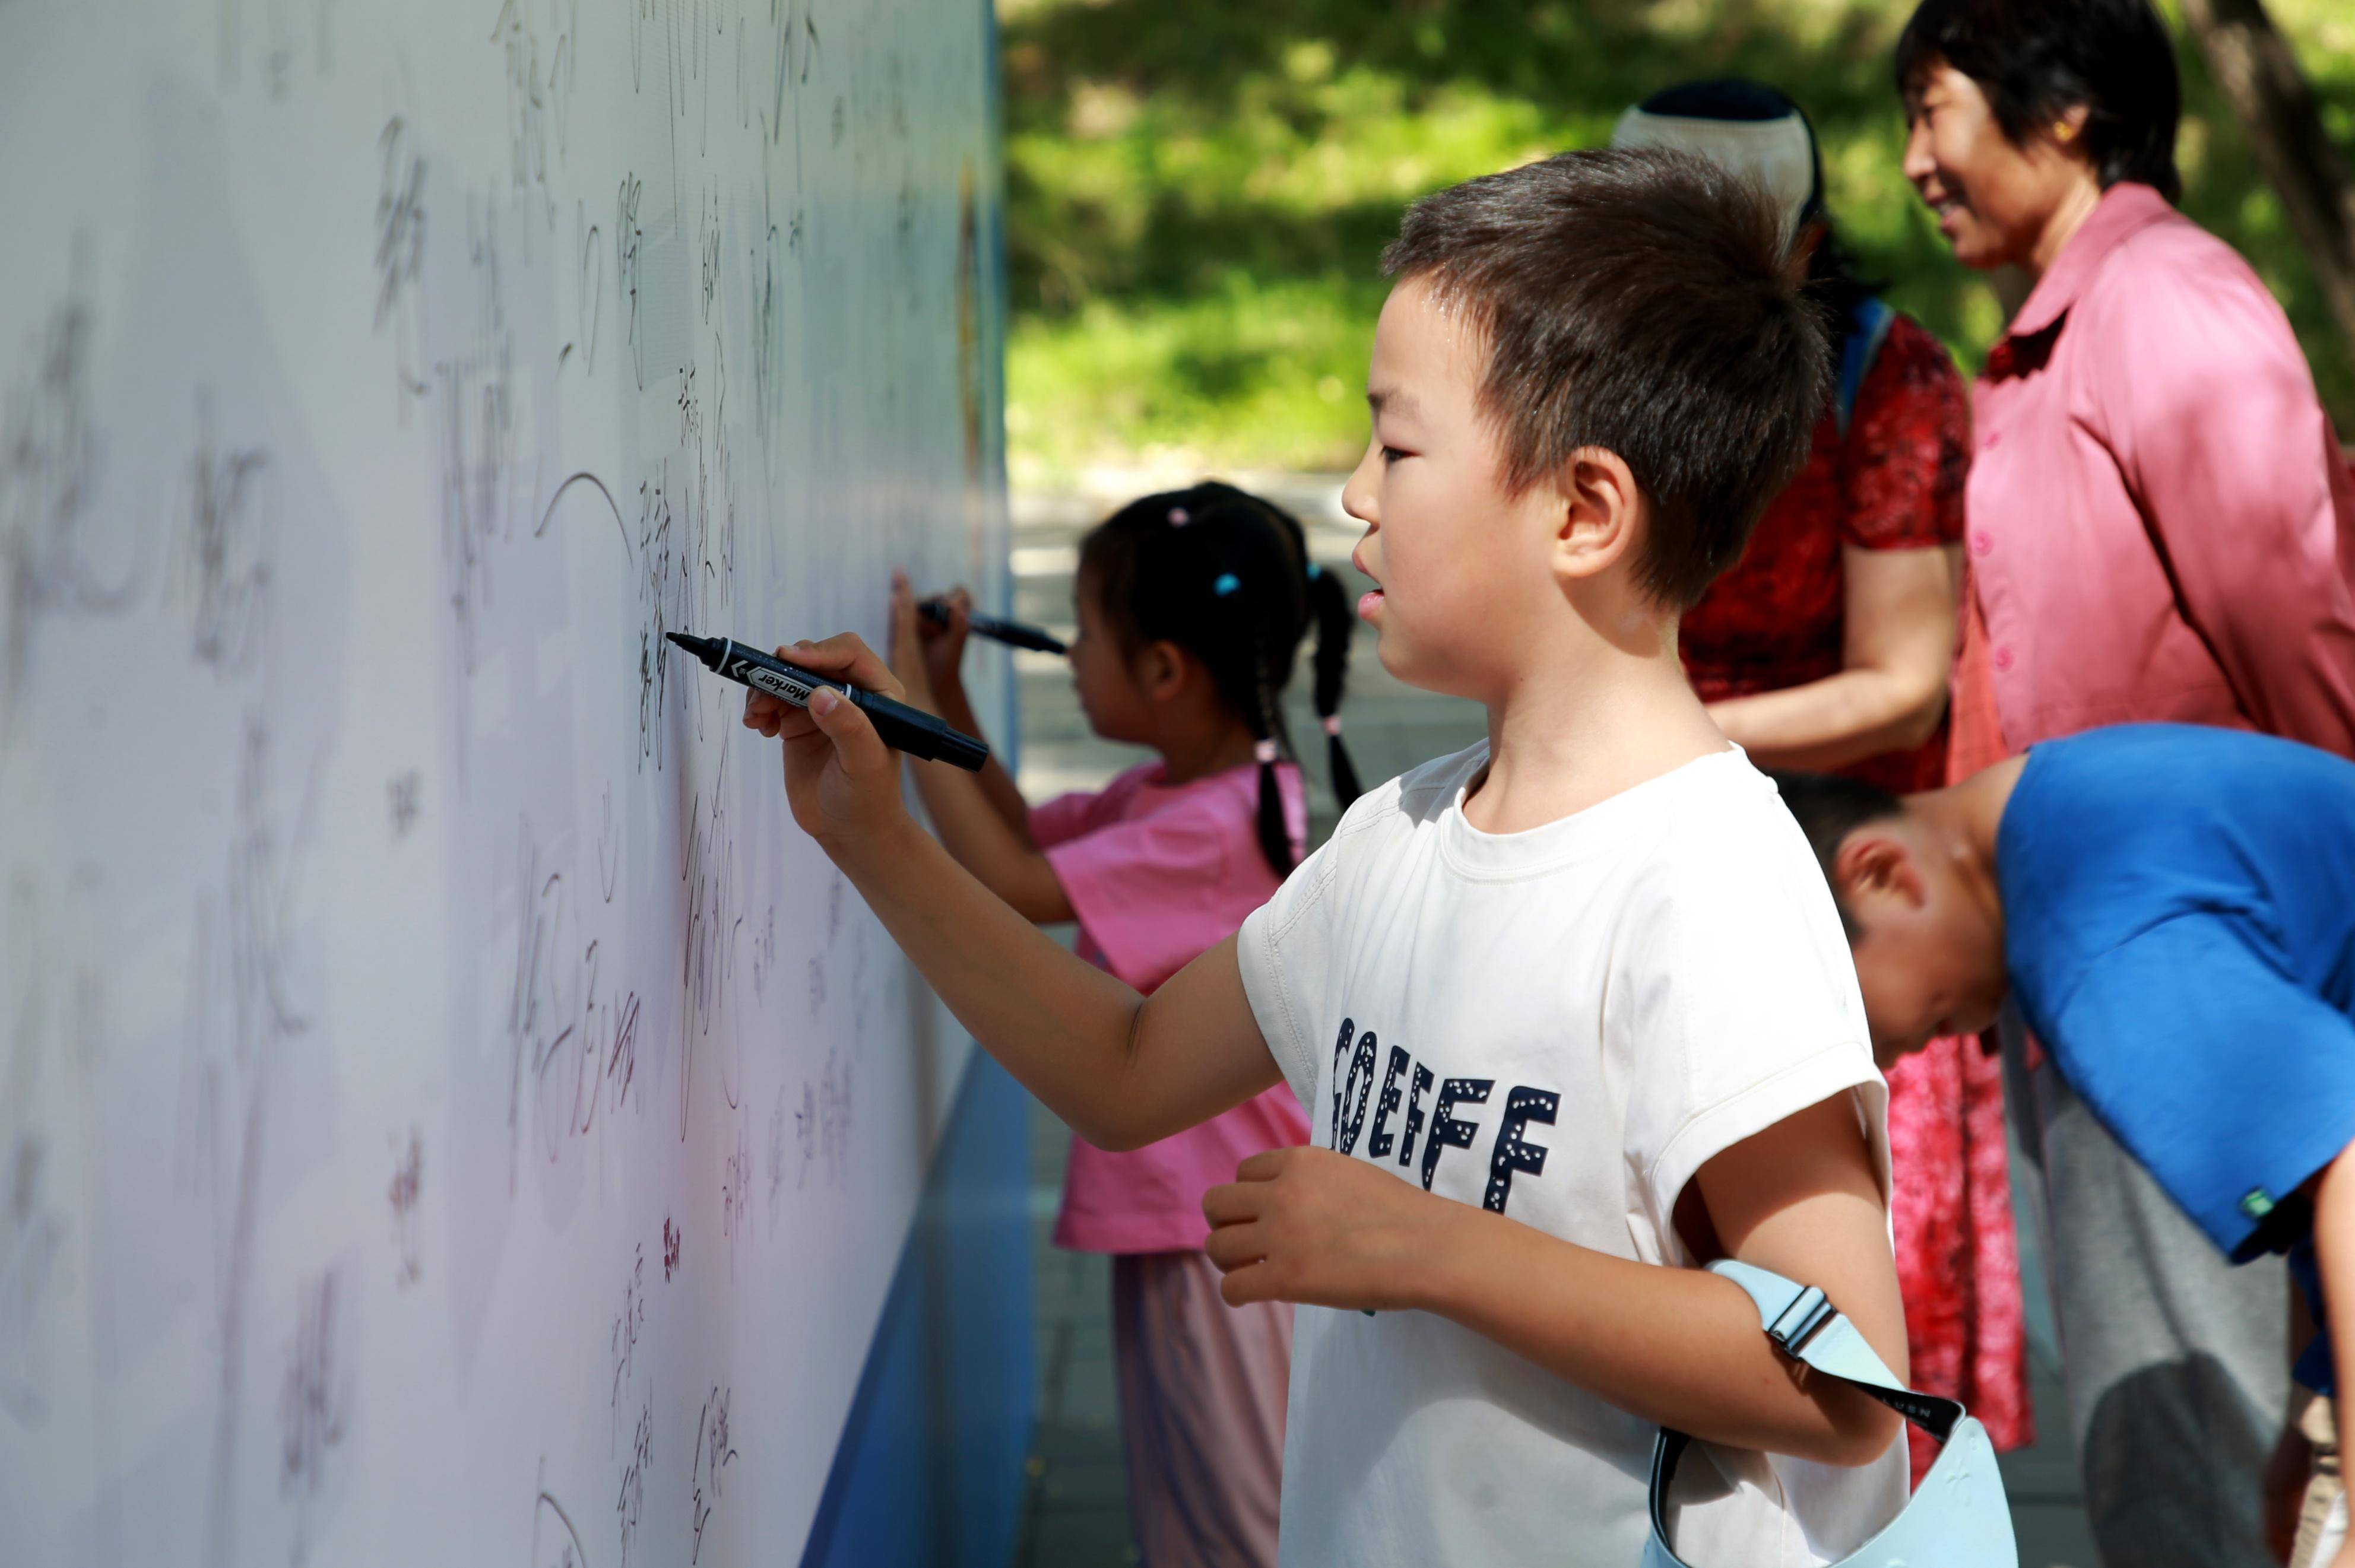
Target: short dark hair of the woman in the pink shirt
[2036,60]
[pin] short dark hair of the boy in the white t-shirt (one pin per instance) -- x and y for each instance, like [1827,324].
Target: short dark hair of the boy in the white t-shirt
[1636,300]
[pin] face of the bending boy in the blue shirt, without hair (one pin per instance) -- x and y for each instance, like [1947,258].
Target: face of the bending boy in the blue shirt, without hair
[1930,962]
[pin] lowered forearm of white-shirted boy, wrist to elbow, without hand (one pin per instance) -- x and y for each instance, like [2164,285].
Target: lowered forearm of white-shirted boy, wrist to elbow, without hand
[1678,1348]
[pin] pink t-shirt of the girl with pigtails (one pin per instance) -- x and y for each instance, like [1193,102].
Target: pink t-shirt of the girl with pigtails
[1160,875]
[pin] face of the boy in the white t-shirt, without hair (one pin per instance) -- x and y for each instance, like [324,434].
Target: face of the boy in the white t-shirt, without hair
[1459,566]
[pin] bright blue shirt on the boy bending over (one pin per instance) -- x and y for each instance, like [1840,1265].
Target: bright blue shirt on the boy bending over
[2180,931]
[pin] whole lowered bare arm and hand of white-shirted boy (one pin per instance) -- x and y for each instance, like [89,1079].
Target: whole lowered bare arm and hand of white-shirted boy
[1678,1348]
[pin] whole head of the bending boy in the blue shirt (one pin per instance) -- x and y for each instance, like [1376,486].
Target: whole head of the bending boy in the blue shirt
[1930,948]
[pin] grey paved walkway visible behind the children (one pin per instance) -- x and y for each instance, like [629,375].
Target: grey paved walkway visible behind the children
[1077,1510]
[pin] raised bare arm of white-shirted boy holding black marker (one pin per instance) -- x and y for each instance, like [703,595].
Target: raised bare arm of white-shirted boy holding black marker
[1122,1070]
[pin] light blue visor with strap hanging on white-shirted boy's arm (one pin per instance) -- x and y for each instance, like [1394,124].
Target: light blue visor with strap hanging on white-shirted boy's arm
[1805,1327]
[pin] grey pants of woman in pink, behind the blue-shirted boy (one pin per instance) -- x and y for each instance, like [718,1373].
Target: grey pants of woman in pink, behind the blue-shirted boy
[2177,1364]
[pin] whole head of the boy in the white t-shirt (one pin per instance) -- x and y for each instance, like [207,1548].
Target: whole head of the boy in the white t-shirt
[1588,383]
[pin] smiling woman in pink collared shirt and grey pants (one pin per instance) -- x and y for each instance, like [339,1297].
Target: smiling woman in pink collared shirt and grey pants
[2158,526]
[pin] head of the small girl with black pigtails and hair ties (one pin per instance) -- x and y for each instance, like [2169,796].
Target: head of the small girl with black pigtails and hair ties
[1190,611]
